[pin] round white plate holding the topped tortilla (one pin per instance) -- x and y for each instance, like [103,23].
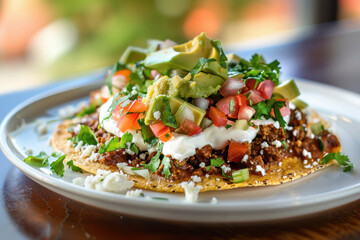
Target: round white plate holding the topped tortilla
[322,190]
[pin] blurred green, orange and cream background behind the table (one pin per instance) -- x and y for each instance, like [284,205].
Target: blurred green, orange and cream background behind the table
[42,41]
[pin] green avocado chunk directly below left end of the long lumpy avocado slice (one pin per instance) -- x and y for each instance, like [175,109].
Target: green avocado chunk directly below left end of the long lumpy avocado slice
[160,109]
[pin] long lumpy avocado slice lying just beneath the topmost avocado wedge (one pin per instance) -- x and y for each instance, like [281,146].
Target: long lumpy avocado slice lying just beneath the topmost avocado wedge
[202,85]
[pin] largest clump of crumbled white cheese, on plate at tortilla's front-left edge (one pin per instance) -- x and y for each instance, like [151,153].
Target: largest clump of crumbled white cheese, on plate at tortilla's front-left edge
[108,181]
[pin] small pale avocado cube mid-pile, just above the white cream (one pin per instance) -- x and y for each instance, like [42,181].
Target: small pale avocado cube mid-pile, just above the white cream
[189,111]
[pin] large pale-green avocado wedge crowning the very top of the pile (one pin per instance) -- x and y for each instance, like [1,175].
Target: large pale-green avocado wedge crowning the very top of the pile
[185,56]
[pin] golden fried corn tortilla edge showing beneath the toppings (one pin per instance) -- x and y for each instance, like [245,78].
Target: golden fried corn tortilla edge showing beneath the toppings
[291,168]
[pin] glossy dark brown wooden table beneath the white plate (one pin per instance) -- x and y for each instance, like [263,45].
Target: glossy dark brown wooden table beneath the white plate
[27,210]
